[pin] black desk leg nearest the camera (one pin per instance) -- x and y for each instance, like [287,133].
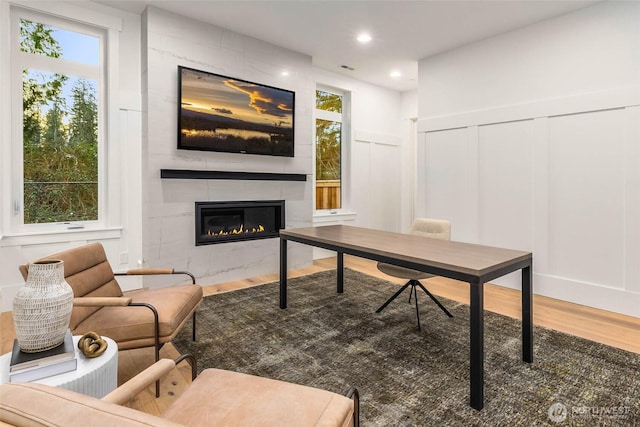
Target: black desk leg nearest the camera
[476,360]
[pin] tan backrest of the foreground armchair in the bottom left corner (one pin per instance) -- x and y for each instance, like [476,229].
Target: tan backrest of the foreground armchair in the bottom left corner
[31,404]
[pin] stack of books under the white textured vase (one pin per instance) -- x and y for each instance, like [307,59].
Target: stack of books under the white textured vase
[26,367]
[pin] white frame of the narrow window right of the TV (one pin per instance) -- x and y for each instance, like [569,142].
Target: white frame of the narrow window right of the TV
[345,140]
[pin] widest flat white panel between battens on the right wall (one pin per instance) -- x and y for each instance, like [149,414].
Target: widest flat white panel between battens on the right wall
[586,197]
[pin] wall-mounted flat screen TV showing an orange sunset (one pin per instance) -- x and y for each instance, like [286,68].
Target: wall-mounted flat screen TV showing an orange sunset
[219,113]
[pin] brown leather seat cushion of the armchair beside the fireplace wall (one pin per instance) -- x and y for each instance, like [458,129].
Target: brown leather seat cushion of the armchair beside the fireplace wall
[133,327]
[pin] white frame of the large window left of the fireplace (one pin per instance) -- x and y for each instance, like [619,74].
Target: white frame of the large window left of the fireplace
[13,231]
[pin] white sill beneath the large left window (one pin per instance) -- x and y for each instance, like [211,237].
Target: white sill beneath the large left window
[58,236]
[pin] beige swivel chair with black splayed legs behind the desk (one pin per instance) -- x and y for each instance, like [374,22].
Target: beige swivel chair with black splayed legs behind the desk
[427,227]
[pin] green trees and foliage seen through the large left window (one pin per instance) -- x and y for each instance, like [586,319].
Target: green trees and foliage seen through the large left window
[60,138]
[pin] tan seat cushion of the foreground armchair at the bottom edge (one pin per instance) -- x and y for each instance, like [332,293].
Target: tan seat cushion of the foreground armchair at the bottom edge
[226,398]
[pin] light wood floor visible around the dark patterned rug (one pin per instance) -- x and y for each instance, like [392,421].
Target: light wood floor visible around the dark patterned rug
[597,325]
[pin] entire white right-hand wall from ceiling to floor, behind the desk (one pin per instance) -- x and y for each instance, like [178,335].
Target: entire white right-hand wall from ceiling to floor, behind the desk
[531,140]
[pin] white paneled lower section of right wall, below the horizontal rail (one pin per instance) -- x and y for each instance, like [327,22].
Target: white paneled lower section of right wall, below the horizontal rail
[564,187]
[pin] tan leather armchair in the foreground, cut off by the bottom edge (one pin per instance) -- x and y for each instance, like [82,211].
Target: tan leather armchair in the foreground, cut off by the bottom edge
[215,398]
